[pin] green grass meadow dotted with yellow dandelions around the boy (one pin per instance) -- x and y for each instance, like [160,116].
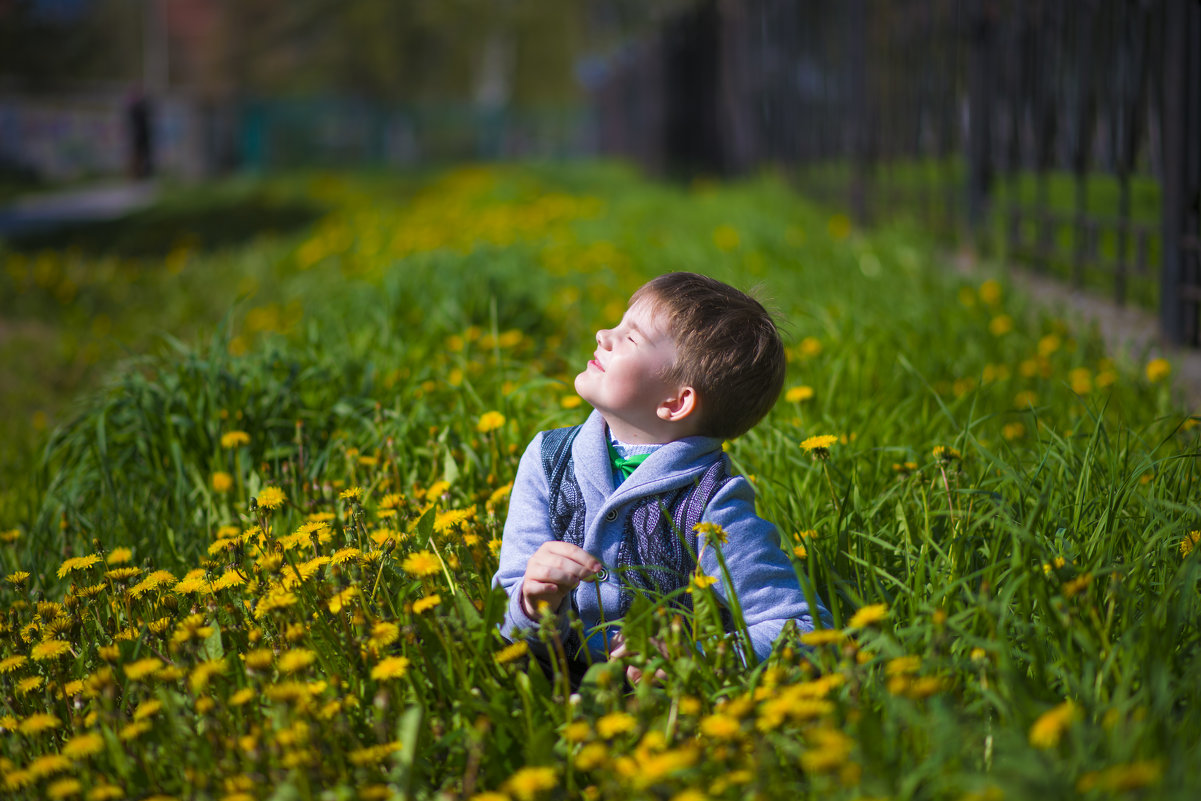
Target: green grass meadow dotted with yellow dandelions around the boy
[256,563]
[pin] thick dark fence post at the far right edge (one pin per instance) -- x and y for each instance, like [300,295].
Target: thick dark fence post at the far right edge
[1178,314]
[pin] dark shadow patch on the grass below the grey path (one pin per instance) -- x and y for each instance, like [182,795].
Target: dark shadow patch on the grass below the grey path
[210,224]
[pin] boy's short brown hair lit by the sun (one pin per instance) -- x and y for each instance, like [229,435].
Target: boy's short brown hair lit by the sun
[728,349]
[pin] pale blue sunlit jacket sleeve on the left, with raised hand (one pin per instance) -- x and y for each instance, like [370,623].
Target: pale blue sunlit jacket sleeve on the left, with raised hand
[527,529]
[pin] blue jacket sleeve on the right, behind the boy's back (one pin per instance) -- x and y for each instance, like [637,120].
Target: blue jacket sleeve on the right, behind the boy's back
[764,581]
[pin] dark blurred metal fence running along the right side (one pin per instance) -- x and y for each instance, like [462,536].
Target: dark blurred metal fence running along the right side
[1066,133]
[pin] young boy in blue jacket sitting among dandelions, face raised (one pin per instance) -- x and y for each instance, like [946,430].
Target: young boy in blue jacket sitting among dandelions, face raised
[692,363]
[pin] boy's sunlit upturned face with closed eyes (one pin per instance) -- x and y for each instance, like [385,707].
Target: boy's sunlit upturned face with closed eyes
[624,380]
